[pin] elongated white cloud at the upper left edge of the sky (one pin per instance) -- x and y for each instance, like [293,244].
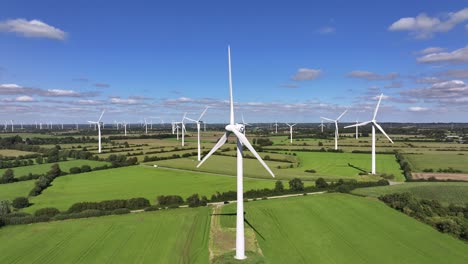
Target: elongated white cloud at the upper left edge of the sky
[33,28]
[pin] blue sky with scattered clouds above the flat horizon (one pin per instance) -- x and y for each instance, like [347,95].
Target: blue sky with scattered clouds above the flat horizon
[292,62]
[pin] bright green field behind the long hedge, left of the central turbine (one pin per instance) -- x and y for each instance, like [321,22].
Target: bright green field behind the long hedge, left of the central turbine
[135,181]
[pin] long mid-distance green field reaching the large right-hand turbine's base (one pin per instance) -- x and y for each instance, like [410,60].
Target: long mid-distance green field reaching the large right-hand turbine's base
[328,165]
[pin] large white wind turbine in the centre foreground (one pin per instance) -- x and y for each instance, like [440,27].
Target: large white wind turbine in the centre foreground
[237,130]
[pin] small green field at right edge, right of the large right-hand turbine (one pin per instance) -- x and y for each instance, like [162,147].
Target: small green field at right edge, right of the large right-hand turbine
[439,160]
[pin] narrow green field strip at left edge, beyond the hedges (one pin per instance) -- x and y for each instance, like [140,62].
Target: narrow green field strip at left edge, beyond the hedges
[45,167]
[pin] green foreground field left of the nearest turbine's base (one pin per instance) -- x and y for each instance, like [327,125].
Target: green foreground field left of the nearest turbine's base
[170,236]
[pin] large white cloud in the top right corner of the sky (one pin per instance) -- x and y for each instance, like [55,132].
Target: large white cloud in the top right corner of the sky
[424,26]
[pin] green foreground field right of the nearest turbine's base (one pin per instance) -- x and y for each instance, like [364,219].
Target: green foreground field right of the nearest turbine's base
[338,228]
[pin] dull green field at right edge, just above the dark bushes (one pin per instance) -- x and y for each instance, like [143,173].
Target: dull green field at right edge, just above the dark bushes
[444,192]
